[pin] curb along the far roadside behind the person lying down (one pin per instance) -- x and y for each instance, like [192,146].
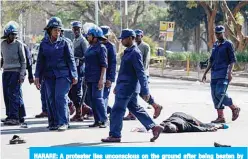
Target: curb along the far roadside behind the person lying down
[195,79]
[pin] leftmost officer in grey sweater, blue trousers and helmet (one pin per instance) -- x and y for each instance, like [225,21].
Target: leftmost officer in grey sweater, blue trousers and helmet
[14,67]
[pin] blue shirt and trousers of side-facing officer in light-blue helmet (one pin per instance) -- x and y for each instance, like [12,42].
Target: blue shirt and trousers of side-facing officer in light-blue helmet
[95,59]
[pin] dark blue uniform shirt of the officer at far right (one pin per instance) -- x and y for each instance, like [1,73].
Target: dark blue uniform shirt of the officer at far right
[222,56]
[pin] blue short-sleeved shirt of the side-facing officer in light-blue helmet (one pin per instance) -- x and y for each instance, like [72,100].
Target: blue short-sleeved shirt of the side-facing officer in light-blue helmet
[95,59]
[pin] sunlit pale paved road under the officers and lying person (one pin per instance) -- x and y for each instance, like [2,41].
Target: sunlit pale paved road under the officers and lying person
[174,95]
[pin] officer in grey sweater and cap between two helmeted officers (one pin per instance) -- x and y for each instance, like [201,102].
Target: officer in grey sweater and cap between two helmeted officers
[80,46]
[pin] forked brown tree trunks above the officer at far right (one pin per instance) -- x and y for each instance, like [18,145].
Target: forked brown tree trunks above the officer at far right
[234,29]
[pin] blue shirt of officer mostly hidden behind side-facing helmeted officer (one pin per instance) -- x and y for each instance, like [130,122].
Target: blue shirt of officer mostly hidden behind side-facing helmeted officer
[111,70]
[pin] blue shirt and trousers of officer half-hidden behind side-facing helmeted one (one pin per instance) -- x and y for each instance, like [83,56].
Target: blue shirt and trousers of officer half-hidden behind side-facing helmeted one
[111,70]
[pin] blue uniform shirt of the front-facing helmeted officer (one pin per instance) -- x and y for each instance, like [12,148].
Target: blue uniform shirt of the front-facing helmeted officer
[55,59]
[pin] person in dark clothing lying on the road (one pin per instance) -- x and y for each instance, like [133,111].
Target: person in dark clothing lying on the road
[181,122]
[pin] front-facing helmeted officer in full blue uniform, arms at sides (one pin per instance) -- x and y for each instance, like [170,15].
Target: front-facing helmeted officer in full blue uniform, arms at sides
[56,64]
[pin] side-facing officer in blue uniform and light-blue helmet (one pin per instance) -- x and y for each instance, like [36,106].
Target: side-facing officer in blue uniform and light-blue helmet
[95,75]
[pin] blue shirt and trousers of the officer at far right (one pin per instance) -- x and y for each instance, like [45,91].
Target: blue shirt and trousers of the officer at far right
[222,56]
